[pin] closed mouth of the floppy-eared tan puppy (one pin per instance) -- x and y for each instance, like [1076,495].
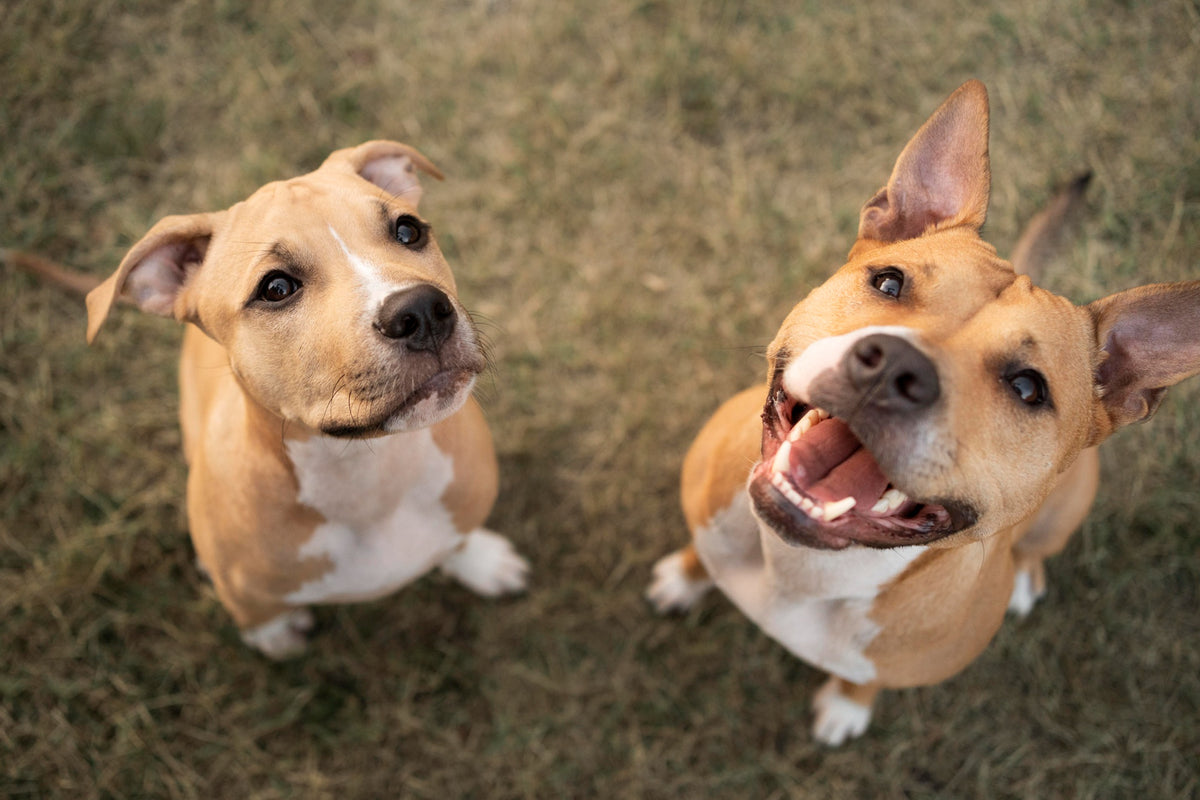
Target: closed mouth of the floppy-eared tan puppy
[431,401]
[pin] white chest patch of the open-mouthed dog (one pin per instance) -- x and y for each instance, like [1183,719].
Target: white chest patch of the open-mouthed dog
[817,604]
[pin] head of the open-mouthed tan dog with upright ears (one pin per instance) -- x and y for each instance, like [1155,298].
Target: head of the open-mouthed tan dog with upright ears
[928,393]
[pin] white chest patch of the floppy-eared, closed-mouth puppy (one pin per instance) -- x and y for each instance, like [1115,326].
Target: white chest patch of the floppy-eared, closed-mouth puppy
[385,521]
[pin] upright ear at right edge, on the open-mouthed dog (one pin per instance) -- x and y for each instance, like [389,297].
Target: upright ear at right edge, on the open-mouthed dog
[1150,340]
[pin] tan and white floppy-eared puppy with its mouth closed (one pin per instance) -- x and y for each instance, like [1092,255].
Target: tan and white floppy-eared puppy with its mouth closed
[335,453]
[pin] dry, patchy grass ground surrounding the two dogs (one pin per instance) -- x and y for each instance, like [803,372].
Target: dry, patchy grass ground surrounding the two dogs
[638,193]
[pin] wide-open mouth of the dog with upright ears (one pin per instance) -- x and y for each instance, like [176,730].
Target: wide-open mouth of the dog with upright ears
[818,485]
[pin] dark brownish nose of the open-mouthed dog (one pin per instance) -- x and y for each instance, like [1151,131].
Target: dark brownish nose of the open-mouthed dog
[892,374]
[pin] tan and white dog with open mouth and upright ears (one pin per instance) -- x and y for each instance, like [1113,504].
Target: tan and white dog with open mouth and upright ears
[927,437]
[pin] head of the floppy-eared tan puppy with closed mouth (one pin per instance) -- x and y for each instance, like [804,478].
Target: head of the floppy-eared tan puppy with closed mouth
[328,292]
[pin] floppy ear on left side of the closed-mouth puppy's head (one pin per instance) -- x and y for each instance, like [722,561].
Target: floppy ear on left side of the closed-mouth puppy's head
[155,270]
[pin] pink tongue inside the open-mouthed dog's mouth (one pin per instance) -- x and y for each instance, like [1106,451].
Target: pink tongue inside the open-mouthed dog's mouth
[832,464]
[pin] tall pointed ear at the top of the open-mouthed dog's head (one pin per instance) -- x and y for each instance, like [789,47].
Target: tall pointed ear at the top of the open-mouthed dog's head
[941,178]
